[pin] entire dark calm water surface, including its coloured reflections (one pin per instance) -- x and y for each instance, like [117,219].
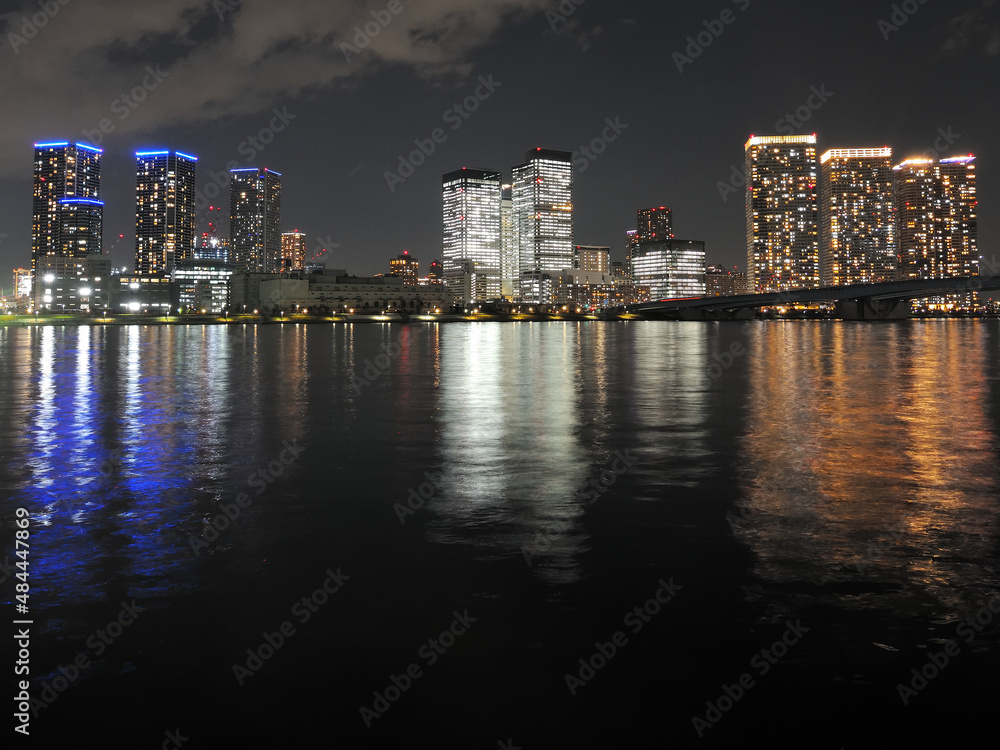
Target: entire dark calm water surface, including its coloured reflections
[841,477]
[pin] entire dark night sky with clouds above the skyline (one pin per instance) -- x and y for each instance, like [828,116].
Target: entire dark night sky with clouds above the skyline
[350,116]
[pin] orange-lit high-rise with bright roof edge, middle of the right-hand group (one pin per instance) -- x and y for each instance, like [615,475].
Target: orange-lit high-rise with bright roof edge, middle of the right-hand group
[858,215]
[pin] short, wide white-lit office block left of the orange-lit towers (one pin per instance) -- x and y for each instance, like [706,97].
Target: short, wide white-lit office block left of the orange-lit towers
[671,269]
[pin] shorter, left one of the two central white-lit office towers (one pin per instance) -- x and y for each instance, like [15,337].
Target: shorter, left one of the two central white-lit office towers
[472,226]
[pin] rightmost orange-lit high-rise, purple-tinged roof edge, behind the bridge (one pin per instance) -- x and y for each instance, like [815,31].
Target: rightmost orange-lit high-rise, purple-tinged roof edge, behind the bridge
[937,221]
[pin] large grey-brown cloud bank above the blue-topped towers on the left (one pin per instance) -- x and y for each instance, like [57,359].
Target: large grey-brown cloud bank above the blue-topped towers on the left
[216,59]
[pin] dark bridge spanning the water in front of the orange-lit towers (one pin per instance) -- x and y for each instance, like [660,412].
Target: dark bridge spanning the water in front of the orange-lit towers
[884,301]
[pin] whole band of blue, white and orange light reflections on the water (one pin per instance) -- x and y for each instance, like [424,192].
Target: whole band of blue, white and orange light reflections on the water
[847,435]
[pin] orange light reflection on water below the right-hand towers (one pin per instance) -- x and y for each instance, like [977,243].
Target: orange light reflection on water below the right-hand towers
[870,459]
